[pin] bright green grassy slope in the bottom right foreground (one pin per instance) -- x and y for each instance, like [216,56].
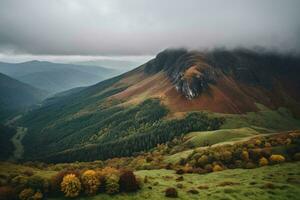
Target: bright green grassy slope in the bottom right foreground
[247,184]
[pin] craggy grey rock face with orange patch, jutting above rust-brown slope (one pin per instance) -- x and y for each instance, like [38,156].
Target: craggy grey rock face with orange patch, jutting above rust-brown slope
[190,75]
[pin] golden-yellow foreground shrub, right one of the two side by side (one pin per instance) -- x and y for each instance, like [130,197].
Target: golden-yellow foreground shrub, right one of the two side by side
[90,182]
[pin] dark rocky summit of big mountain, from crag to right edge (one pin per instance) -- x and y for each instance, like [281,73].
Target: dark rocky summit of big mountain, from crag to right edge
[192,72]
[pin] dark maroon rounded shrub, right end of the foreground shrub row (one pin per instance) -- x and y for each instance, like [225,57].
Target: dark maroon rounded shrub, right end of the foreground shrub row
[128,182]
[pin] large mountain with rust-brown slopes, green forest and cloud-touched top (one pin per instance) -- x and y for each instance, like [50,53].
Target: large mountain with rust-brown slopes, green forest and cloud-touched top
[173,94]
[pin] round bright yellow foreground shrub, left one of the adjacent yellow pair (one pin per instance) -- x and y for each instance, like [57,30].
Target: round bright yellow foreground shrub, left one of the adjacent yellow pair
[71,185]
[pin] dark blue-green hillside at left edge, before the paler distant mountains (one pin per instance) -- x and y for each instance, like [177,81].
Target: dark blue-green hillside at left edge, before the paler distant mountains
[17,96]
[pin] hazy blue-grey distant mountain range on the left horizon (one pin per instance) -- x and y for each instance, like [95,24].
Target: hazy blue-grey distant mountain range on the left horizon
[55,77]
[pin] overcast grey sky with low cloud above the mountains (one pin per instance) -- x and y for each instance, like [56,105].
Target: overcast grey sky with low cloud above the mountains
[62,28]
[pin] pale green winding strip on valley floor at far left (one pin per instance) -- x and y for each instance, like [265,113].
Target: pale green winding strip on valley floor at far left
[17,142]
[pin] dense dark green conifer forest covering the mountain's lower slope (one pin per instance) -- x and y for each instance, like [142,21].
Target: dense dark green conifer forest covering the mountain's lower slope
[118,132]
